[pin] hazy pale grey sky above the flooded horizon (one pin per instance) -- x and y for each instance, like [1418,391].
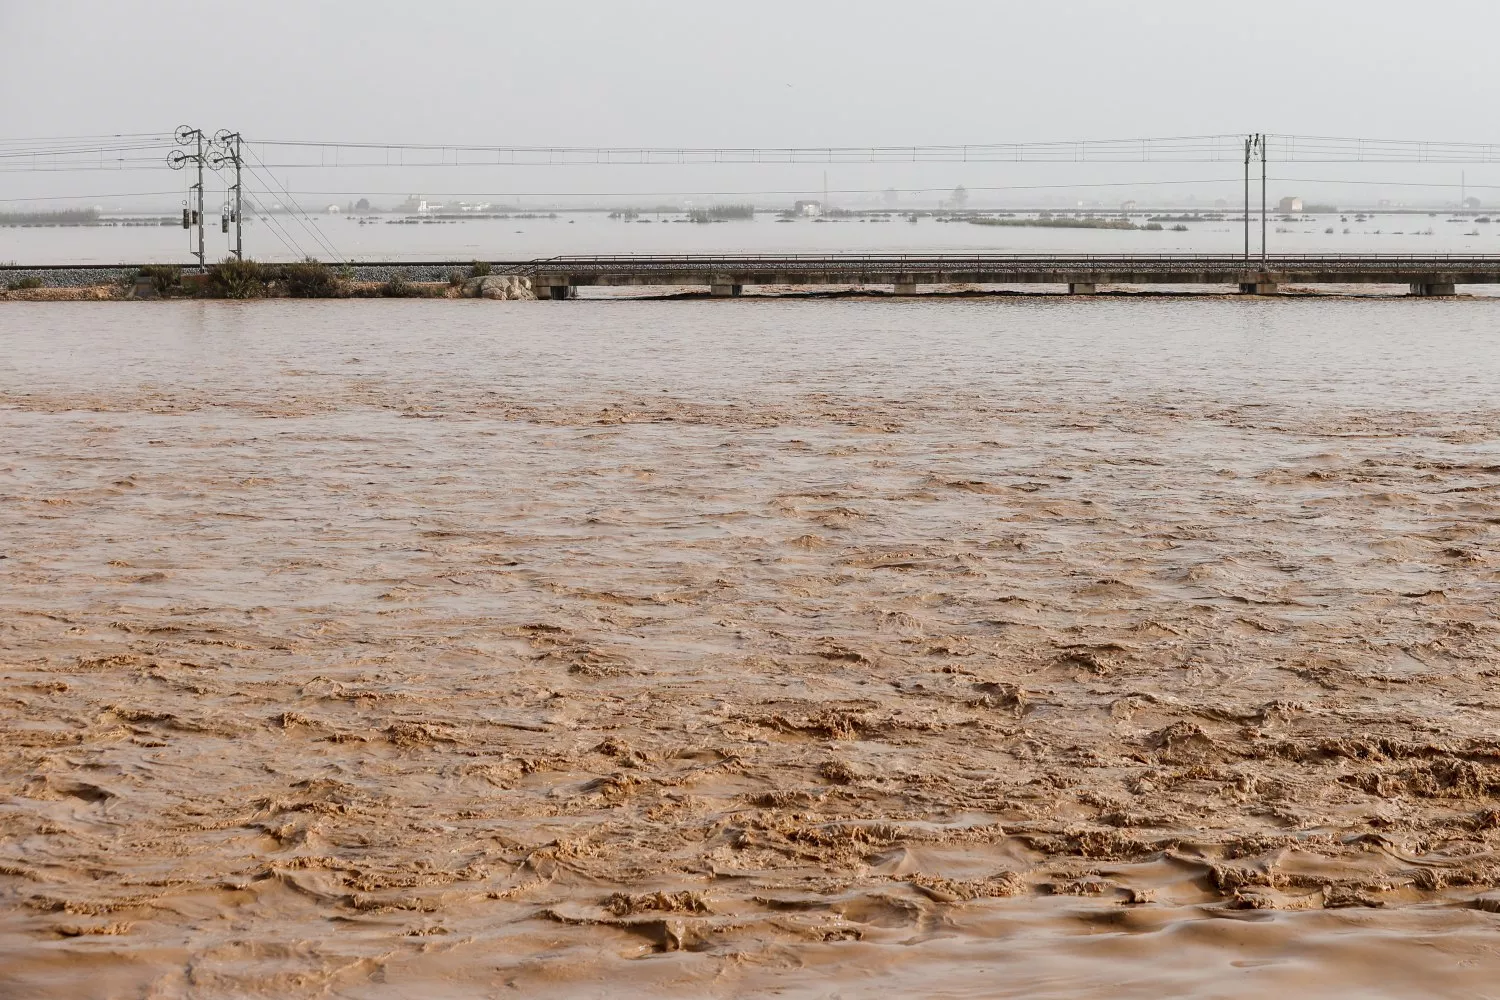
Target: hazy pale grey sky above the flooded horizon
[773,73]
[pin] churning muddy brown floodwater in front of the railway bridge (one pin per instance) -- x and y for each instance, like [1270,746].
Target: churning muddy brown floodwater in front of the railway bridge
[968,648]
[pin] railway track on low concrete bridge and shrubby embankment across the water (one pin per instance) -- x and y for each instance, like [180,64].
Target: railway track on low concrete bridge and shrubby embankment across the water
[560,278]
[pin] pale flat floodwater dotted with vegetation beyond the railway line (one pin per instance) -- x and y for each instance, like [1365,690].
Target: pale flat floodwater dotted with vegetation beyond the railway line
[392,238]
